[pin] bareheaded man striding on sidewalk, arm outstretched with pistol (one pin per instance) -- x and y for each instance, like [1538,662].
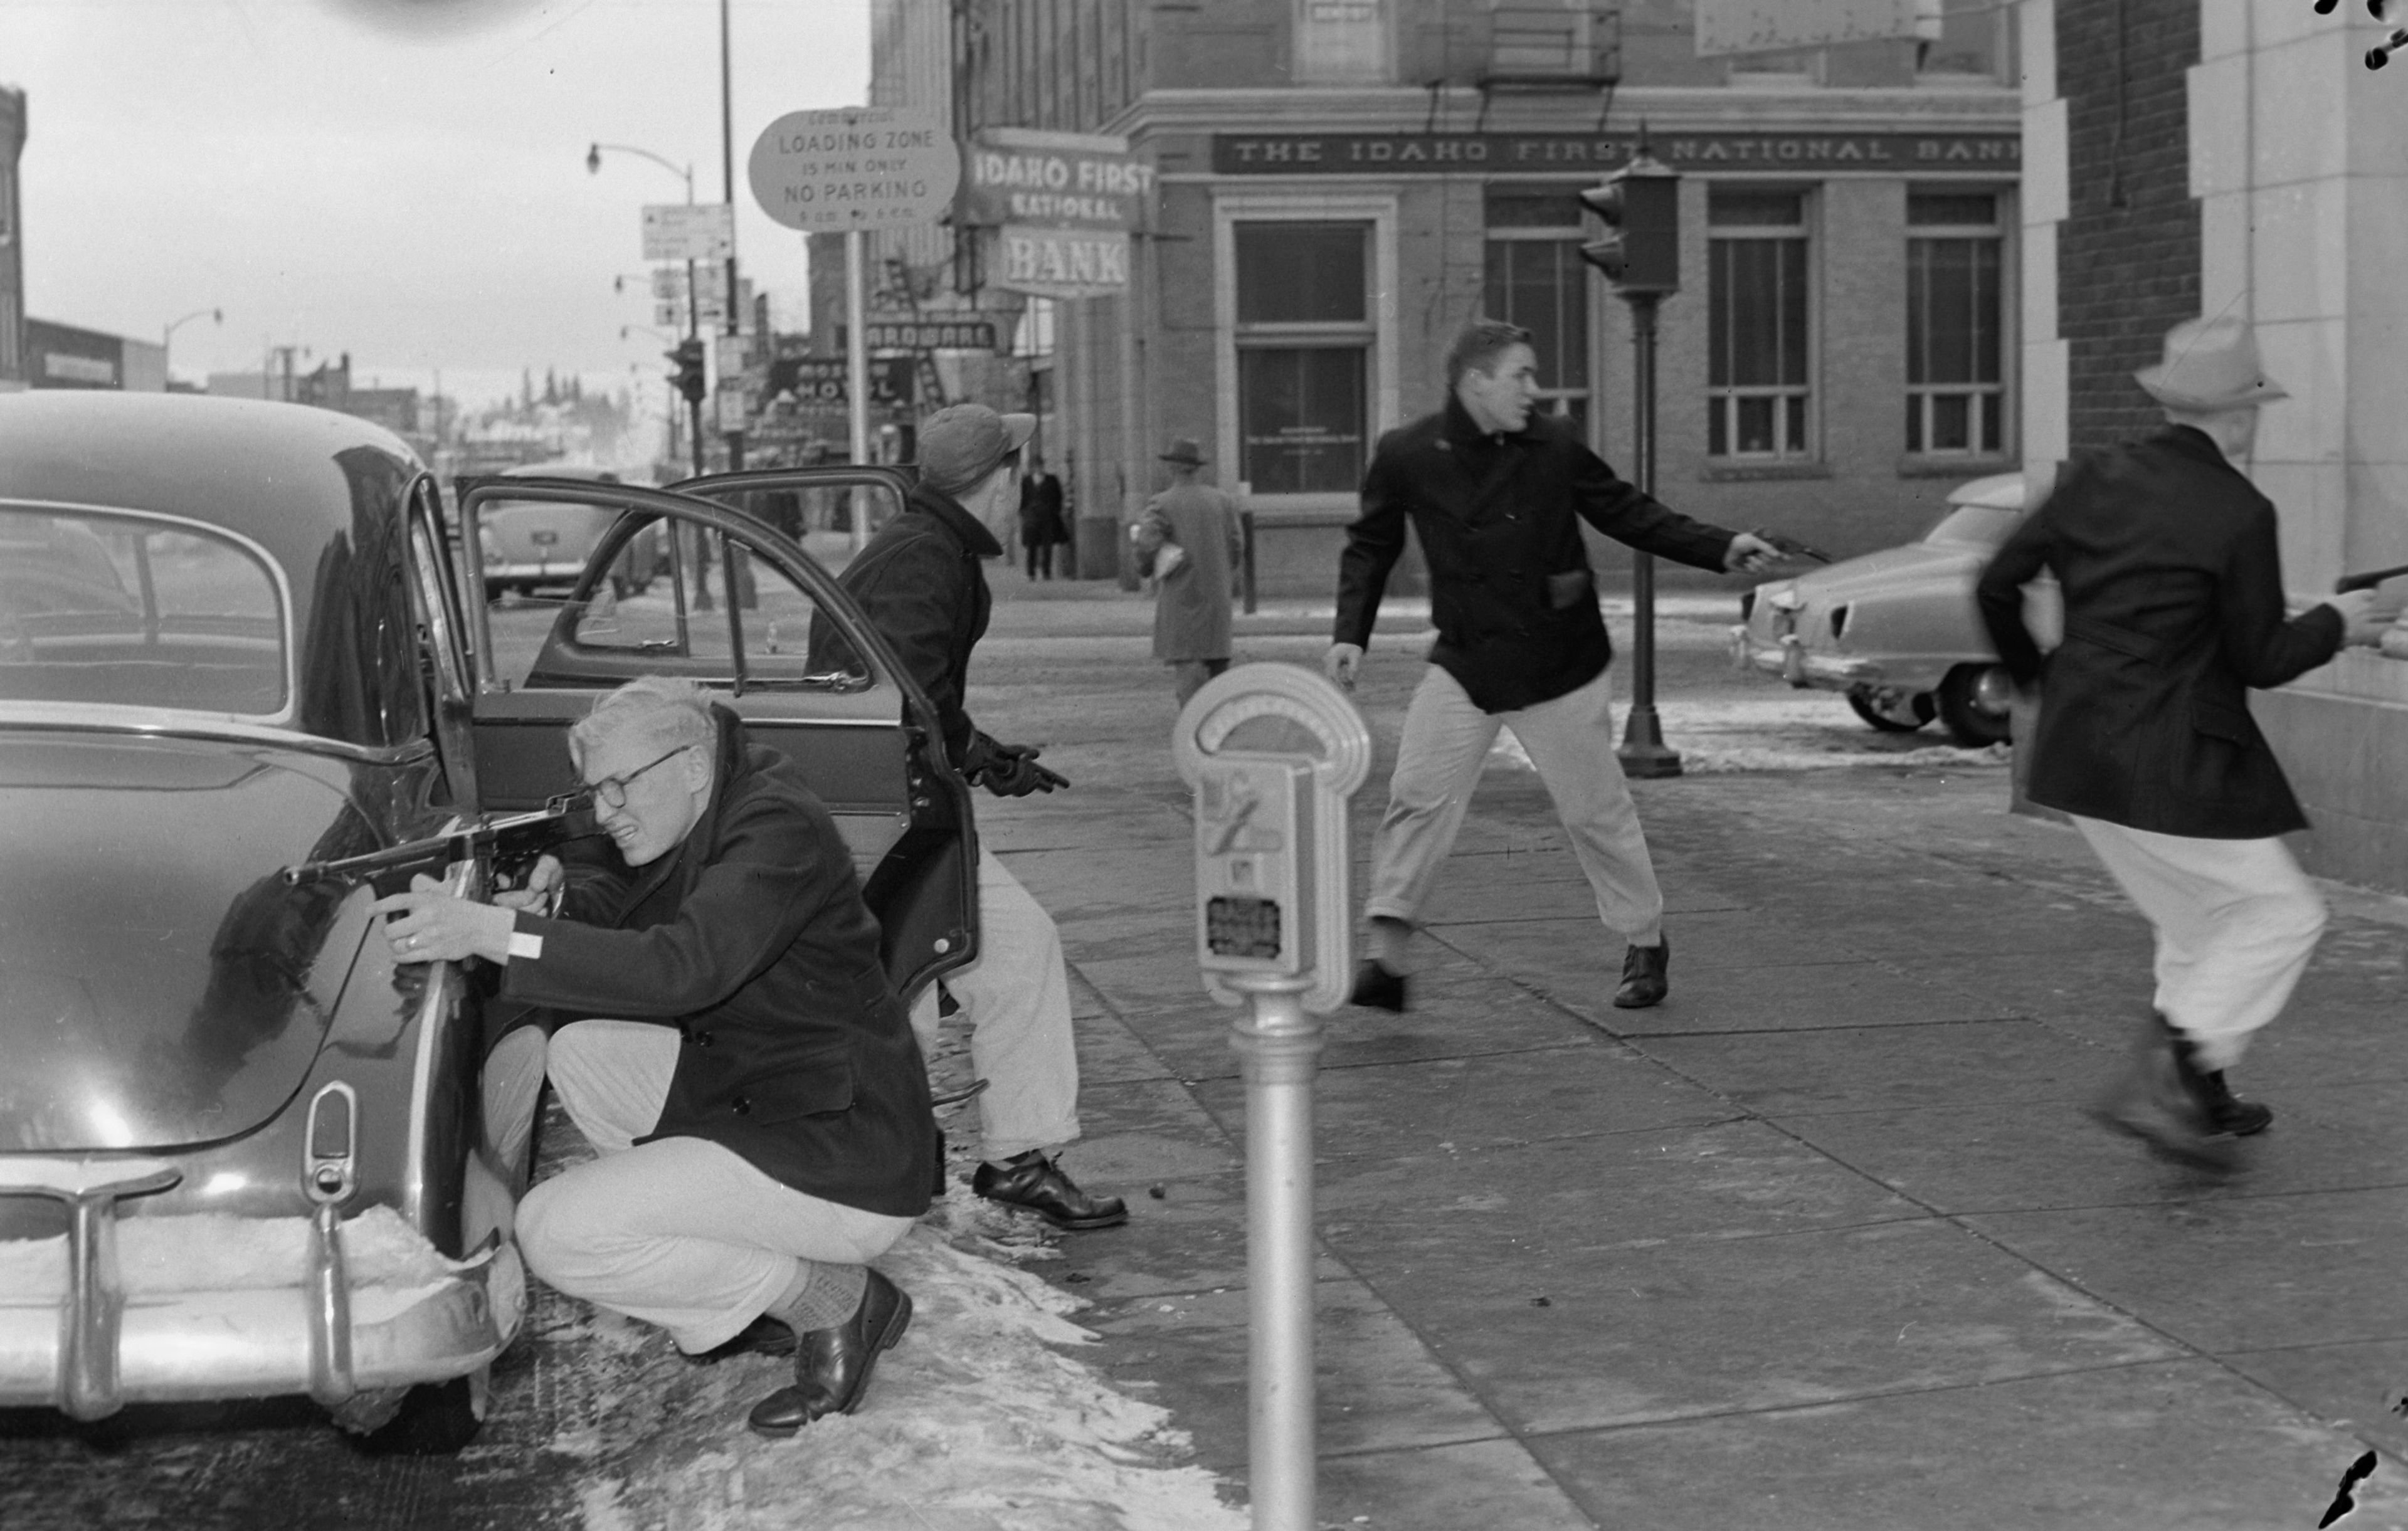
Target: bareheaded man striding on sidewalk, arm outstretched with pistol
[1497,495]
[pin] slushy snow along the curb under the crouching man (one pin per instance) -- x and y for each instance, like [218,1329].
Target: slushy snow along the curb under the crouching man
[981,1419]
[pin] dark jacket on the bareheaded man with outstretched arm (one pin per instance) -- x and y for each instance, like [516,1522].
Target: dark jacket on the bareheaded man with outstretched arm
[1499,521]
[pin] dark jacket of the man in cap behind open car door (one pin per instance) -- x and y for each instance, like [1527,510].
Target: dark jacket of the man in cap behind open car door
[923,591]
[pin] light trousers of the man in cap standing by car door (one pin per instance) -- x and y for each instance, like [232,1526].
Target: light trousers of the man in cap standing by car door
[1017,1000]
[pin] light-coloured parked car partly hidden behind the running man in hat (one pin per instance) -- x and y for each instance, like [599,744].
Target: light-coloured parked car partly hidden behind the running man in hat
[1899,632]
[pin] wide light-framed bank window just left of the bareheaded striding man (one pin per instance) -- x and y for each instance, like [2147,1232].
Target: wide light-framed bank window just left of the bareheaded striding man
[1304,355]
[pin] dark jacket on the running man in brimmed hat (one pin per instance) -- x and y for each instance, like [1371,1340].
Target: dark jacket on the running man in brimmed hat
[2173,593]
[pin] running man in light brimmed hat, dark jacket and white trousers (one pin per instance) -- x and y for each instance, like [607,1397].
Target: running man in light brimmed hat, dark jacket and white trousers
[2173,591]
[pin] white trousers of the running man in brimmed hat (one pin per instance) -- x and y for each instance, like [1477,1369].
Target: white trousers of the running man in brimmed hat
[2236,926]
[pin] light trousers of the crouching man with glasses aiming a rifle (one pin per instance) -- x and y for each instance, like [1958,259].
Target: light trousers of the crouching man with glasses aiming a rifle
[680,1234]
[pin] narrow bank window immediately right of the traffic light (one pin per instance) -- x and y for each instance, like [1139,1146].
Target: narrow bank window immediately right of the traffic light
[1759,401]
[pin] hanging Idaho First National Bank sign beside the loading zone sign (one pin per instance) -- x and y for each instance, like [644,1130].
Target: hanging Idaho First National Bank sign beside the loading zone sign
[1061,206]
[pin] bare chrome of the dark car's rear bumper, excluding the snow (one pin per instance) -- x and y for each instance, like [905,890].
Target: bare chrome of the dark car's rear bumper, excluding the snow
[88,1347]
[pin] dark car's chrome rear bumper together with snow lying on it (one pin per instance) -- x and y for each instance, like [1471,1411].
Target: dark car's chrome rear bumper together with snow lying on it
[309,1316]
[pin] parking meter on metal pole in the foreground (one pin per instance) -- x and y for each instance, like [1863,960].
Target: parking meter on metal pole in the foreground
[1273,755]
